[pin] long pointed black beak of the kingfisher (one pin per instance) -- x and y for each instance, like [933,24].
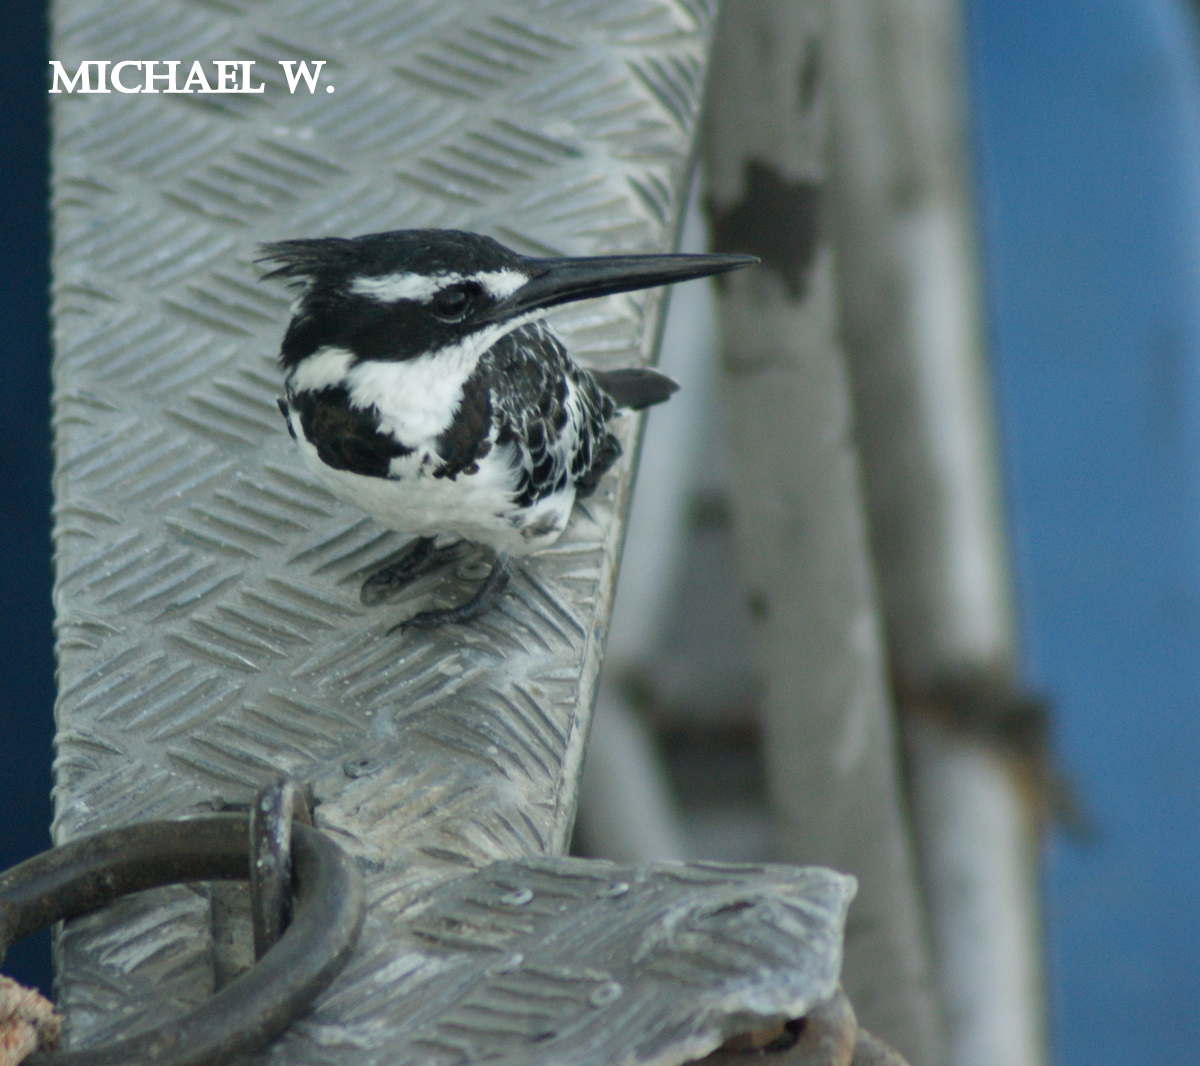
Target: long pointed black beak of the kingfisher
[561,282]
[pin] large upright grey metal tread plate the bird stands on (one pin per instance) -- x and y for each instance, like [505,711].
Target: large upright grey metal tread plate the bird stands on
[211,634]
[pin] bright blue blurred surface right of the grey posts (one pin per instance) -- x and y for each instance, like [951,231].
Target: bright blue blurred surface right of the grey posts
[1089,139]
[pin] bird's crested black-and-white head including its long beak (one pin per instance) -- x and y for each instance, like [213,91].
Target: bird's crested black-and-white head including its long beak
[398,296]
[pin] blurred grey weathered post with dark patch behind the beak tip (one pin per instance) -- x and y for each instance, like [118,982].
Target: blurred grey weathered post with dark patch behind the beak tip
[830,738]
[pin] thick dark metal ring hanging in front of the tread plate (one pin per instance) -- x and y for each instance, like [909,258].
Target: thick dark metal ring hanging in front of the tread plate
[86,875]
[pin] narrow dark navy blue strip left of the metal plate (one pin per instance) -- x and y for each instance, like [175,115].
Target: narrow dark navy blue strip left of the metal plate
[27,662]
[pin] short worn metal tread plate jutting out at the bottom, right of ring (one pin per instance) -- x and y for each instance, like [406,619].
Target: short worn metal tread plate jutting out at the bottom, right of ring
[556,960]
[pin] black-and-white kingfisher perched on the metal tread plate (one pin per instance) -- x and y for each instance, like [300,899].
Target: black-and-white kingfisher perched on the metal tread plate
[423,385]
